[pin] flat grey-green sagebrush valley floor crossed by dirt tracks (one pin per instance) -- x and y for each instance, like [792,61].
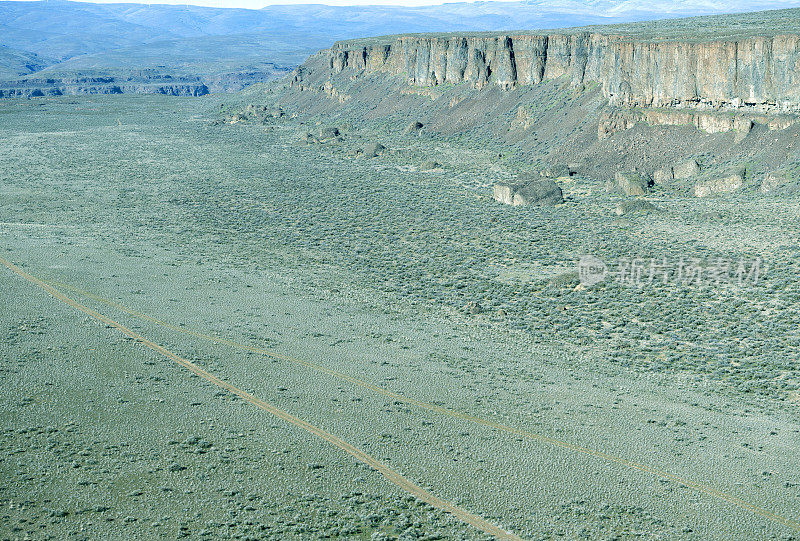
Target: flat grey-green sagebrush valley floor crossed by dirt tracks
[398,309]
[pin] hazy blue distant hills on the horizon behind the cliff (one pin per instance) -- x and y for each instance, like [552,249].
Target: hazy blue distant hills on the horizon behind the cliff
[210,46]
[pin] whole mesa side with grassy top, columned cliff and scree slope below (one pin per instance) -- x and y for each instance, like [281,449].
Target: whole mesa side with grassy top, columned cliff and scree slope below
[603,99]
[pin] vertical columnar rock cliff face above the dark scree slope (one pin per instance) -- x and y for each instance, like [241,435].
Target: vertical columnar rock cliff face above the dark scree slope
[755,73]
